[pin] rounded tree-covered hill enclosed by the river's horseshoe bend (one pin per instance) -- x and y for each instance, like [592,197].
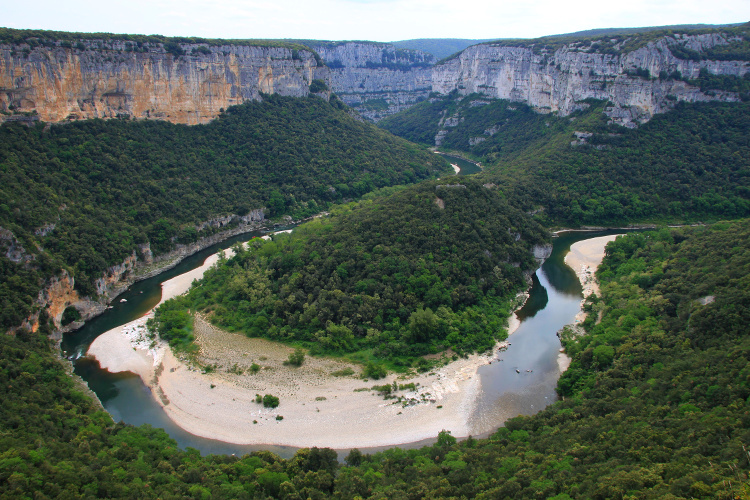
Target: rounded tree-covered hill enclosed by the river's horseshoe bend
[431,267]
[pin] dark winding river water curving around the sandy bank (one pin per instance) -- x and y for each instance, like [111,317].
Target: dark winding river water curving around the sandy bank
[522,380]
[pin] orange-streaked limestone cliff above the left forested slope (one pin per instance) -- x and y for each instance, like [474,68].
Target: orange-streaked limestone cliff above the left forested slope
[116,78]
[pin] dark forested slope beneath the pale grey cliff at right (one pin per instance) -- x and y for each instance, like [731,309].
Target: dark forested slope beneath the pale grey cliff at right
[685,165]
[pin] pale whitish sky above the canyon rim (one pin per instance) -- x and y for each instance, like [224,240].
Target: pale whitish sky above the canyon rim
[376,20]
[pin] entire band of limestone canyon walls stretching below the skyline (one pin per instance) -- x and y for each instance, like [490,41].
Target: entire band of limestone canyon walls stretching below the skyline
[191,82]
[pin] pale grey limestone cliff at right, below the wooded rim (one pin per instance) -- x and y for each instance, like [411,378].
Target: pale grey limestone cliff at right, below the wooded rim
[638,83]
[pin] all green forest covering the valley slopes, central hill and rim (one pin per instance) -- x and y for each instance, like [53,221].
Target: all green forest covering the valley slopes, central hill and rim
[654,404]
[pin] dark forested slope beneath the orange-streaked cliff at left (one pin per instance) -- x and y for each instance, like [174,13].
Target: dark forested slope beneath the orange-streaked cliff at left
[81,196]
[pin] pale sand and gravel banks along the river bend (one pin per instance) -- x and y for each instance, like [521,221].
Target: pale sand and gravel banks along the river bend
[318,408]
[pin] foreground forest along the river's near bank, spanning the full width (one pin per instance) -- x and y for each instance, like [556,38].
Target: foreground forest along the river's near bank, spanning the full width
[656,406]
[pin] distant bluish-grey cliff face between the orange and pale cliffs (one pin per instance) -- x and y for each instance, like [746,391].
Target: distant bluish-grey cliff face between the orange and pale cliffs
[377,79]
